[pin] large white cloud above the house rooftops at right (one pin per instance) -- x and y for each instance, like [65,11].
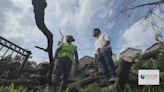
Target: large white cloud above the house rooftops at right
[142,34]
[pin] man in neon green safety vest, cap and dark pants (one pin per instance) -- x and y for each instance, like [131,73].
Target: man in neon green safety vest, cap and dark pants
[65,55]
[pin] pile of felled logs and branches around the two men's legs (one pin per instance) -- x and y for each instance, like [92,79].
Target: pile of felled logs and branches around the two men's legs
[88,75]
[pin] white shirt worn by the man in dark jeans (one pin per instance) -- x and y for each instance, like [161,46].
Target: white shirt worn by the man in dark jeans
[100,41]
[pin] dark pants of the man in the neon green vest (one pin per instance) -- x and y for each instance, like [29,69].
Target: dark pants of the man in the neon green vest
[63,66]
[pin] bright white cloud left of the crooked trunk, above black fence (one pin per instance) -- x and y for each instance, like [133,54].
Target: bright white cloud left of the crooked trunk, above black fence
[20,27]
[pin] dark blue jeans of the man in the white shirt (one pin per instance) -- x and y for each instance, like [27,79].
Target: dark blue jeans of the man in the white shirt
[104,57]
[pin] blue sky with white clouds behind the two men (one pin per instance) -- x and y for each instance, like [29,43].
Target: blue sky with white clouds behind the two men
[79,17]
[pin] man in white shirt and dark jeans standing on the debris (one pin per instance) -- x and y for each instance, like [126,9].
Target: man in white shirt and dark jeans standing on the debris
[104,53]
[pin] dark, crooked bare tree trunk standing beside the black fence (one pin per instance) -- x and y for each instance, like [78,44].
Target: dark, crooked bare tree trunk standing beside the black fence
[39,7]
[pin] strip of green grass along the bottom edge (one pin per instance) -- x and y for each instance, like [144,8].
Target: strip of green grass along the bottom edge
[129,88]
